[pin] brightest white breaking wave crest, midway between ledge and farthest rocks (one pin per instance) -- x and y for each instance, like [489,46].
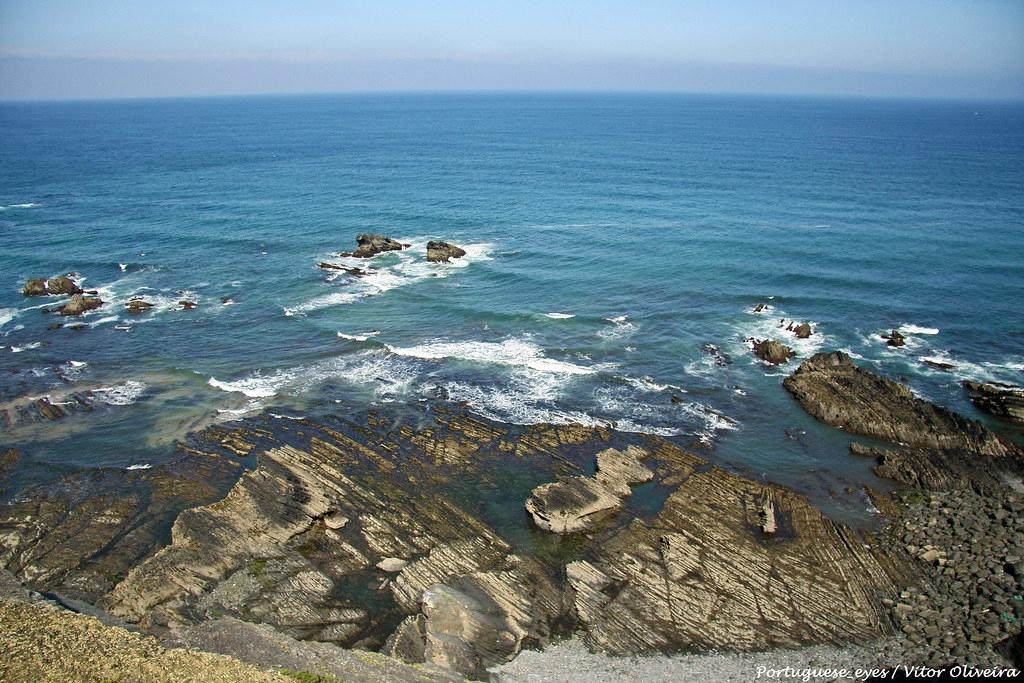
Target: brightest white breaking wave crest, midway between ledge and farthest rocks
[509,353]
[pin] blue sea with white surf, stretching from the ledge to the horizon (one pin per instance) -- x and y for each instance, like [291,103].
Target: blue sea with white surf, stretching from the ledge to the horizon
[611,239]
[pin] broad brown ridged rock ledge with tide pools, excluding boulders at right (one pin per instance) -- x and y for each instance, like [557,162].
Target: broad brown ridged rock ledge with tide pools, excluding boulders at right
[409,535]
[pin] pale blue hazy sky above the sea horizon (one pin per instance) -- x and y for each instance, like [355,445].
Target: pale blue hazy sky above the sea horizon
[84,50]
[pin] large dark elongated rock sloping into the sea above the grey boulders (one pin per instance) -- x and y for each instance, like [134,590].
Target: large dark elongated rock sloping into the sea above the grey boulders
[834,390]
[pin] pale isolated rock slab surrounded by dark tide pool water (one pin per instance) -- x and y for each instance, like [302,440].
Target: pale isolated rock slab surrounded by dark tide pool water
[580,504]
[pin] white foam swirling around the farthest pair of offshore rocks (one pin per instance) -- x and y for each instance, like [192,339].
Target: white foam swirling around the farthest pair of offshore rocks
[411,267]
